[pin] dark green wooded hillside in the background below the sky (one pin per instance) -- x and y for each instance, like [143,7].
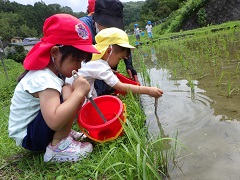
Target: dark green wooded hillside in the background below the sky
[26,20]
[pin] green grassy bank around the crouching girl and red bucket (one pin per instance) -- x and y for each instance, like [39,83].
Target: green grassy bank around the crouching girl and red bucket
[131,156]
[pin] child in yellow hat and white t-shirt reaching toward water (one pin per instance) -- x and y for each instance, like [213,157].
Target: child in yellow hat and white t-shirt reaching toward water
[113,44]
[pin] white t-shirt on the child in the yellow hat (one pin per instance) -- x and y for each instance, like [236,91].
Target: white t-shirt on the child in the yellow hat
[98,69]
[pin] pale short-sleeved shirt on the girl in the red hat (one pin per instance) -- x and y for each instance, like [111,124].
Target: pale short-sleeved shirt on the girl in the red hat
[24,107]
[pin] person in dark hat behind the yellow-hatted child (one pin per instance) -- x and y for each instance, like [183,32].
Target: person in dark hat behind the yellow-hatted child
[108,13]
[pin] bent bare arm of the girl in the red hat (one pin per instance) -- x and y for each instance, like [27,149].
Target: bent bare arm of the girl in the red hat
[57,115]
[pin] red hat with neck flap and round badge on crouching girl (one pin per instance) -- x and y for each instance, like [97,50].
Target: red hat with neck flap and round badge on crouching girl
[62,29]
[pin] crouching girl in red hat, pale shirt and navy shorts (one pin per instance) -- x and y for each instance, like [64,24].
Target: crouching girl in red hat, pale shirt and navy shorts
[43,109]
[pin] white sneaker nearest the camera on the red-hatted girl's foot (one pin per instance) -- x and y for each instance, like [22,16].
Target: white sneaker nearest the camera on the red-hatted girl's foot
[67,150]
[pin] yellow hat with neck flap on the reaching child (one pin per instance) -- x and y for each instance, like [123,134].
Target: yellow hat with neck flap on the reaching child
[110,36]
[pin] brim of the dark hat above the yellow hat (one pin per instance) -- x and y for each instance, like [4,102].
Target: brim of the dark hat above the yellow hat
[108,21]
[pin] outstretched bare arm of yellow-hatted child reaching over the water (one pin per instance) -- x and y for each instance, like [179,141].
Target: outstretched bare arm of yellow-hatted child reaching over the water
[151,91]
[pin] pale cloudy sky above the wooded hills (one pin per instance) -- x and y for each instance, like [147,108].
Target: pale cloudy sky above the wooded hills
[75,5]
